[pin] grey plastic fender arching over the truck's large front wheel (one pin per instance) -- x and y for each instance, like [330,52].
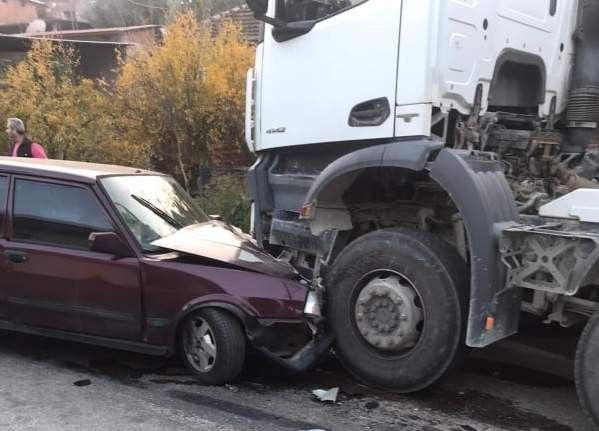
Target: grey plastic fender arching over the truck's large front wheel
[476,184]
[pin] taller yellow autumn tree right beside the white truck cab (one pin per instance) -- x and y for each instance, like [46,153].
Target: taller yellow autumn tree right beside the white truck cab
[185,97]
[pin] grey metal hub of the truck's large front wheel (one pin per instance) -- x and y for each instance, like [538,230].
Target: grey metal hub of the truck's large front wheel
[387,315]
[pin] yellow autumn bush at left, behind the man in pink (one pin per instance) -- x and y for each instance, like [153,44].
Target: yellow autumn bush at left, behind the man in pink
[72,117]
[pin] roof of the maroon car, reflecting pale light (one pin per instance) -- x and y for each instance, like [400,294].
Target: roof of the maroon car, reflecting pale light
[66,169]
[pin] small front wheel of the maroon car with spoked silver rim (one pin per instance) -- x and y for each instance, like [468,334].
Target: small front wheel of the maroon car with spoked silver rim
[212,346]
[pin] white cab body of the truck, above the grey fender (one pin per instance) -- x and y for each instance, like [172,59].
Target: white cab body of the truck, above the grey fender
[374,69]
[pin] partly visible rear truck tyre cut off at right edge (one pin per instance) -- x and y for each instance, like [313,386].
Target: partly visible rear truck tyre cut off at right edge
[586,368]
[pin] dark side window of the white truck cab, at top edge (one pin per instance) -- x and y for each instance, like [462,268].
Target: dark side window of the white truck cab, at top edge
[312,10]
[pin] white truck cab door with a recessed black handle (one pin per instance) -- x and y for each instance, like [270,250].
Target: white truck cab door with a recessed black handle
[335,82]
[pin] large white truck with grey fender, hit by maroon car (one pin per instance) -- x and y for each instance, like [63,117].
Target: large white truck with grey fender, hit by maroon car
[431,166]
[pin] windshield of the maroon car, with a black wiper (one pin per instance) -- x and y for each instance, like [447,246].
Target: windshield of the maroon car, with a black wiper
[152,206]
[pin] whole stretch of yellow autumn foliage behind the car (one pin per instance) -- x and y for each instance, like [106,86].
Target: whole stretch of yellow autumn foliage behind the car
[175,107]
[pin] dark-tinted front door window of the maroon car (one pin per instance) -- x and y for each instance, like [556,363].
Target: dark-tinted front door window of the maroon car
[56,214]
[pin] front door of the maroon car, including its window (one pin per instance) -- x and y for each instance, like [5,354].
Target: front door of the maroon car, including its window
[53,279]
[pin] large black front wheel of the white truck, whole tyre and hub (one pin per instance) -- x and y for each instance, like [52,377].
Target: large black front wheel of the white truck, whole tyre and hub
[397,303]
